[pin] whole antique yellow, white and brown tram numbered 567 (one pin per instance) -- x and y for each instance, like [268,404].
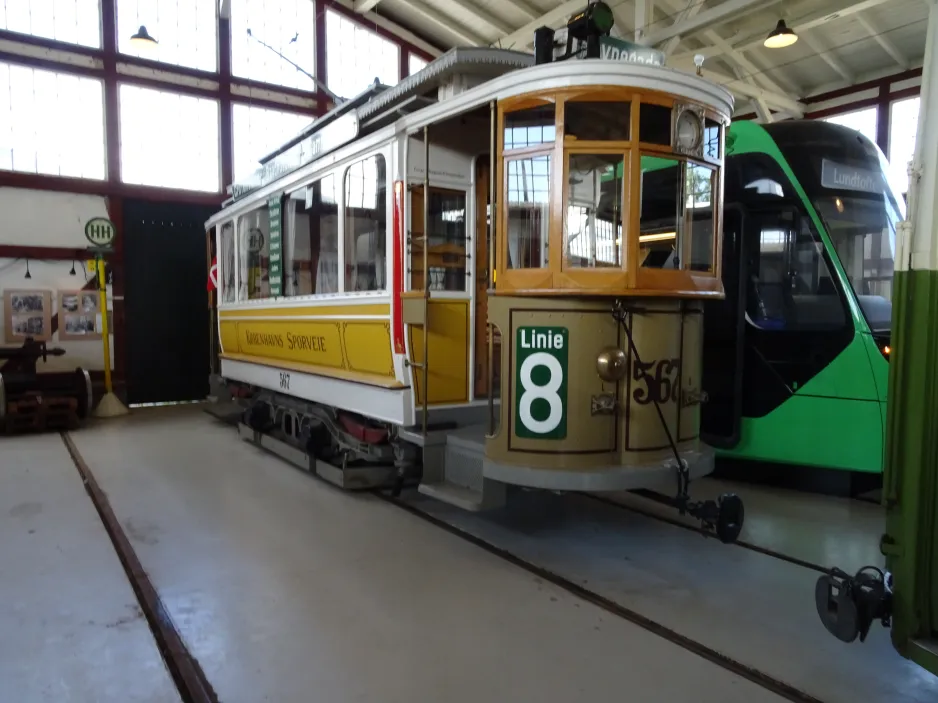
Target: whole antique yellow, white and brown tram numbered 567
[489,275]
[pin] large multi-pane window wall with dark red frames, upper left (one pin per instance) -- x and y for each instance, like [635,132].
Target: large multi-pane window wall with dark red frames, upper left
[188,115]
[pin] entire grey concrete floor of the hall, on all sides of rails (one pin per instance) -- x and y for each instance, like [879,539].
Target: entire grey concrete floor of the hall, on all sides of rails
[286,589]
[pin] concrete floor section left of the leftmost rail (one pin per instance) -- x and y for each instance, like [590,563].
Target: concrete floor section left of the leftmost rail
[70,627]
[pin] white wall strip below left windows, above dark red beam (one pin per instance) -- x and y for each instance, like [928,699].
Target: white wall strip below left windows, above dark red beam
[46,219]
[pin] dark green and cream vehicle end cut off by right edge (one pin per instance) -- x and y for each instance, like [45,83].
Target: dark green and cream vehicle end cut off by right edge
[910,486]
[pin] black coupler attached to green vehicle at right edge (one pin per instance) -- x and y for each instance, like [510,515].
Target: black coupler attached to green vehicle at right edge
[848,605]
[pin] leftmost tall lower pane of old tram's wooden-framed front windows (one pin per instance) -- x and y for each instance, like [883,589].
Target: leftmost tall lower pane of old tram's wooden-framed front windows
[528,211]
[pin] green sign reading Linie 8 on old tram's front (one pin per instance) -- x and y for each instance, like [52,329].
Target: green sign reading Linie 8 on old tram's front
[541,355]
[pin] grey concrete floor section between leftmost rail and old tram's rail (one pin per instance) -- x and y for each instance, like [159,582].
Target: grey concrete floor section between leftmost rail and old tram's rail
[286,589]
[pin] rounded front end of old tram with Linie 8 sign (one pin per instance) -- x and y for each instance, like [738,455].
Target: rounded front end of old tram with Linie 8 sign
[607,243]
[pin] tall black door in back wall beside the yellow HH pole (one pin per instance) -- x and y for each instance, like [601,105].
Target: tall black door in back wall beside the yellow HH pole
[166,301]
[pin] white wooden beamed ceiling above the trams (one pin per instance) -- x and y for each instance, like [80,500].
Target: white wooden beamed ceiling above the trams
[841,42]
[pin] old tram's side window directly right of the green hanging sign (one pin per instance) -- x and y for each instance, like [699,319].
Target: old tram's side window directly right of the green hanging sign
[311,249]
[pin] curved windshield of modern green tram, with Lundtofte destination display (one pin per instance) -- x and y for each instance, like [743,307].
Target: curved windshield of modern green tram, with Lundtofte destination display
[845,177]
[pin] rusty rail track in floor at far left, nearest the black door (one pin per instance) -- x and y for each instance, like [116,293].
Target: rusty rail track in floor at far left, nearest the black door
[187,675]
